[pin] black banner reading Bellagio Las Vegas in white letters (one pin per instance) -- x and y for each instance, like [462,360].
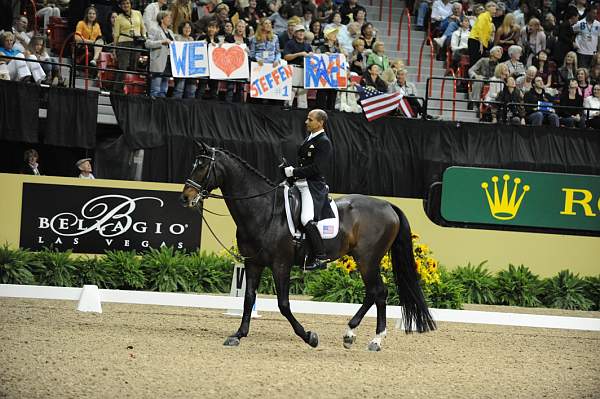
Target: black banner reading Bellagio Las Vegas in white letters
[96,219]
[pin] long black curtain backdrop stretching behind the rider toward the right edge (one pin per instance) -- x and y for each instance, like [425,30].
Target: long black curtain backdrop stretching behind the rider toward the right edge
[389,157]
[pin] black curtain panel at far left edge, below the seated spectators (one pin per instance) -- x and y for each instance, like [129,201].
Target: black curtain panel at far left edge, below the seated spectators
[19,110]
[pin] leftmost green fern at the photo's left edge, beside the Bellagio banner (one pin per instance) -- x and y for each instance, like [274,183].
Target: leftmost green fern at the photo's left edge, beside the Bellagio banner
[16,265]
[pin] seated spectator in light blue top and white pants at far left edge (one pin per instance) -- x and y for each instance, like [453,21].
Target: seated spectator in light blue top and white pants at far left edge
[24,71]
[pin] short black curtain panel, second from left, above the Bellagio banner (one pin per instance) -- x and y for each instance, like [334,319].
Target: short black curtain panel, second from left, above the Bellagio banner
[72,118]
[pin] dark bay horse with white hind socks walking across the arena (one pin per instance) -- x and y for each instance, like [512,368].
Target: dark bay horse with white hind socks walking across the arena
[369,228]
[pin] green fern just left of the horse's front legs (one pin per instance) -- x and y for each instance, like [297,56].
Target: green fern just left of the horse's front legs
[209,272]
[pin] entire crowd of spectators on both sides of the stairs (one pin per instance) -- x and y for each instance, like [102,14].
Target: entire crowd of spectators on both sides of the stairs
[531,61]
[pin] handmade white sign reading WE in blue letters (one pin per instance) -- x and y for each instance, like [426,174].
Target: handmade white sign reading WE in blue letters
[189,59]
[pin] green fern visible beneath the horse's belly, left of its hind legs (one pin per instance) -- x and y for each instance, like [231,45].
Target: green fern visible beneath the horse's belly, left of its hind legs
[335,285]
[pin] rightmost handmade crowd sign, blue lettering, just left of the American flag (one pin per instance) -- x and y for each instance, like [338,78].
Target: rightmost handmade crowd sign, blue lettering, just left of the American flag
[325,71]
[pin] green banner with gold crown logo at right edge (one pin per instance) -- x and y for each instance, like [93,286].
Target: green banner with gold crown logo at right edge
[519,198]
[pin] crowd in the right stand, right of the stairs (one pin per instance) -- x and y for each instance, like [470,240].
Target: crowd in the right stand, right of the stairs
[534,62]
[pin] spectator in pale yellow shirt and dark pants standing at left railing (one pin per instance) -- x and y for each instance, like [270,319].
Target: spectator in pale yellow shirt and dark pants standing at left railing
[129,32]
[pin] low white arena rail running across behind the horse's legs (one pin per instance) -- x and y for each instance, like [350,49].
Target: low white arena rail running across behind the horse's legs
[90,298]
